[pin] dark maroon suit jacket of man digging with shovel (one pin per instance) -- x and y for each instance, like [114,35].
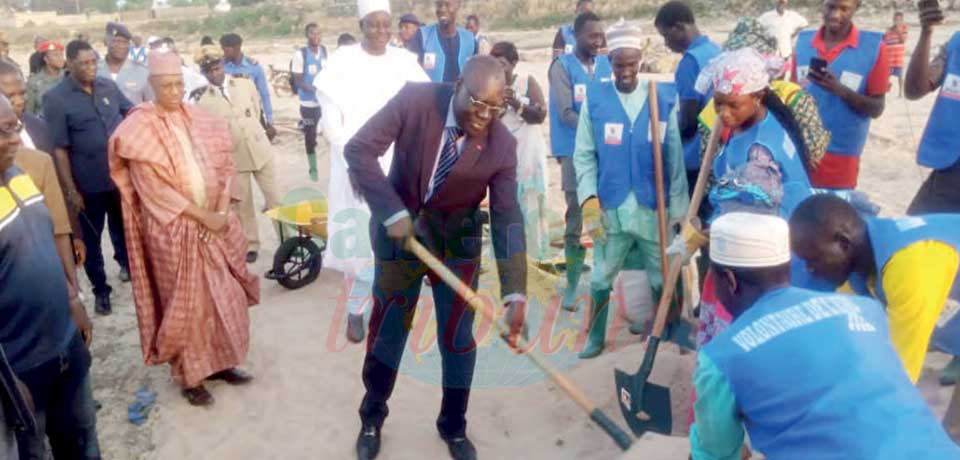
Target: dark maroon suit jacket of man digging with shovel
[413,121]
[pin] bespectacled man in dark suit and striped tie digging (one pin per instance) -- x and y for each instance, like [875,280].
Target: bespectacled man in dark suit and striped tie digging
[450,148]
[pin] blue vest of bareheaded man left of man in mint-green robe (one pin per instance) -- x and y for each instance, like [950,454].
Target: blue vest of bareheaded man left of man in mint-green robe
[562,137]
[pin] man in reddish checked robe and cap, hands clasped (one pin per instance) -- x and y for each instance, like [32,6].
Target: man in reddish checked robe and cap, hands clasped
[173,165]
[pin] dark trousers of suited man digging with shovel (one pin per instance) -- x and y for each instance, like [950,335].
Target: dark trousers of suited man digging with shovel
[397,285]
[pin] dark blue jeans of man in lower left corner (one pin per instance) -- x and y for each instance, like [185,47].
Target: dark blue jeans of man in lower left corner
[65,411]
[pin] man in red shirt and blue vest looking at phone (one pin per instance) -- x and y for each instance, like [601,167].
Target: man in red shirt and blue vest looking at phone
[847,73]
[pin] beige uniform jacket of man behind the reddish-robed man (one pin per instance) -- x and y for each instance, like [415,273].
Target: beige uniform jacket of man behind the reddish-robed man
[251,148]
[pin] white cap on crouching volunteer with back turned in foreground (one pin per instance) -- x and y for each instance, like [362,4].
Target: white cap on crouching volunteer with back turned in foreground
[741,239]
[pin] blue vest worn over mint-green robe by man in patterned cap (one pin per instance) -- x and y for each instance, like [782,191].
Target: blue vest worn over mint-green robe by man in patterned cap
[625,150]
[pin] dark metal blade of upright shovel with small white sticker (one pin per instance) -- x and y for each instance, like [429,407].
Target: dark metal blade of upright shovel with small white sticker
[645,406]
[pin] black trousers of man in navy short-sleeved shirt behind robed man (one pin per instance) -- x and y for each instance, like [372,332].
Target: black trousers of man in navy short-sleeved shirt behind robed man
[102,208]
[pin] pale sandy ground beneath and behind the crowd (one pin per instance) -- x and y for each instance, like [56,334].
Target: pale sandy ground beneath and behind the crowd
[304,401]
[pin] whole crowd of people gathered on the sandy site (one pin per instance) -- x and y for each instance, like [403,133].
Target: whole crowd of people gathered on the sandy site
[433,131]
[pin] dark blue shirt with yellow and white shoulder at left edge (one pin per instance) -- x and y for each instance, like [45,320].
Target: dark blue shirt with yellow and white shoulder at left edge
[35,324]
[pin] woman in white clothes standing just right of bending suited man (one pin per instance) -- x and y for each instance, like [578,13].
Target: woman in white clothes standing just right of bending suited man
[526,111]
